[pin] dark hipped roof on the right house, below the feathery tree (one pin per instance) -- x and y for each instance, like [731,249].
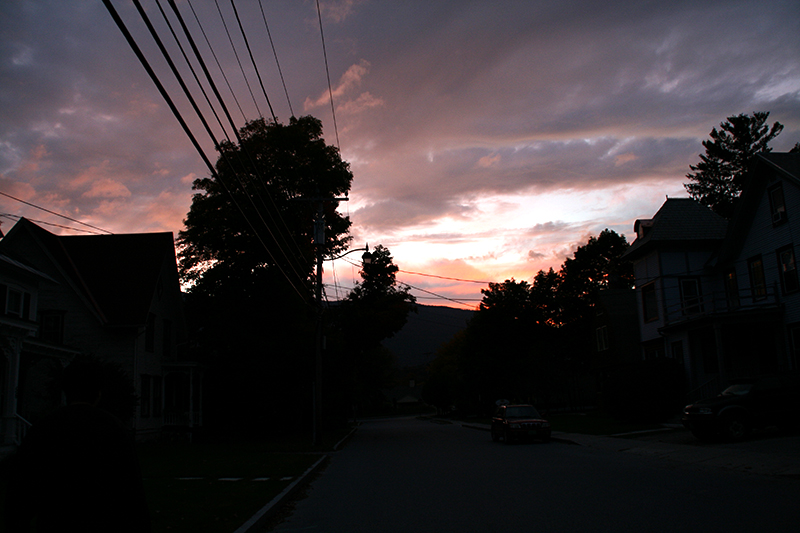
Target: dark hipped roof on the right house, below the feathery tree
[679,220]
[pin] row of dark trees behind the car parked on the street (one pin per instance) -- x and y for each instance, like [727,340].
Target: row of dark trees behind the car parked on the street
[535,342]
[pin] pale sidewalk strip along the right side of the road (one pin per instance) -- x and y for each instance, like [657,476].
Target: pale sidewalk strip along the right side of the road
[712,455]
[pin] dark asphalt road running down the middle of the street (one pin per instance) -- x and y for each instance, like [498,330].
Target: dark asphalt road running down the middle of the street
[415,476]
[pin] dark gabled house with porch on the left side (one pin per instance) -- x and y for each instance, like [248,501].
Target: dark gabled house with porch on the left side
[115,297]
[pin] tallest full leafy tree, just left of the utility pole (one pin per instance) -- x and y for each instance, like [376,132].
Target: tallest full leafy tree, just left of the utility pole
[248,251]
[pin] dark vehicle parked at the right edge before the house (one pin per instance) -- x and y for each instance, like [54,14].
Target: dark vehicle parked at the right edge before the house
[747,404]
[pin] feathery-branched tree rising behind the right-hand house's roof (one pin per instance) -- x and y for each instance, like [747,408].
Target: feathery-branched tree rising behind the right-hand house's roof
[716,181]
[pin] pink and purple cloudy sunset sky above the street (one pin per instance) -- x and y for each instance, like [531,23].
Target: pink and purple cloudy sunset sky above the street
[487,139]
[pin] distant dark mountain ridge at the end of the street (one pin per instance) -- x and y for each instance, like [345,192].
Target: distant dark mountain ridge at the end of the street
[424,332]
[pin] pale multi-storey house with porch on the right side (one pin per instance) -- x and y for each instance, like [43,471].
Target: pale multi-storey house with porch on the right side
[722,296]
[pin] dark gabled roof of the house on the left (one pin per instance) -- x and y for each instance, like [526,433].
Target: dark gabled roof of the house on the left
[117,275]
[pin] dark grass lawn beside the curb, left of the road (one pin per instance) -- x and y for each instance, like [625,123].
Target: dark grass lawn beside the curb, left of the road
[207,488]
